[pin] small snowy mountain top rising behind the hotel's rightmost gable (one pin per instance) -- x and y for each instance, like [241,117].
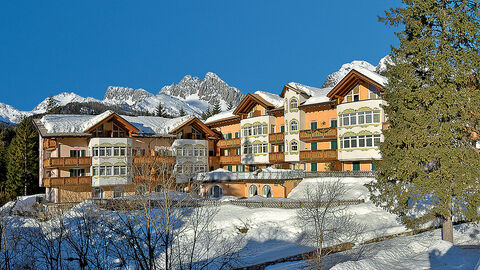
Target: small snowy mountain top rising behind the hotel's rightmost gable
[337,76]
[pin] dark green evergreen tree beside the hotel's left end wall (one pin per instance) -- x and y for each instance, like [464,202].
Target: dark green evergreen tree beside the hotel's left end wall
[22,167]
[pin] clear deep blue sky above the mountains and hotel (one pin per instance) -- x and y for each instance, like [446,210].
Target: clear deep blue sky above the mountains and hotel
[49,47]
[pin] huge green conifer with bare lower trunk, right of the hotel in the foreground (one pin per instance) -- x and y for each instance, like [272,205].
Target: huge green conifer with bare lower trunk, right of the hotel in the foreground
[428,153]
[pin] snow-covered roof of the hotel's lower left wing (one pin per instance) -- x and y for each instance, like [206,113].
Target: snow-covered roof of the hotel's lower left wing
[75,123]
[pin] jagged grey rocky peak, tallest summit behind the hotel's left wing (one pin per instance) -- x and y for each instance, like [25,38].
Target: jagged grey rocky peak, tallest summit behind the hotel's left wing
[204,93]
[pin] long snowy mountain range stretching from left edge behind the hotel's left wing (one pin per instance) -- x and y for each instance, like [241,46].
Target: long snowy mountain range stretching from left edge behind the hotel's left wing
[191,94]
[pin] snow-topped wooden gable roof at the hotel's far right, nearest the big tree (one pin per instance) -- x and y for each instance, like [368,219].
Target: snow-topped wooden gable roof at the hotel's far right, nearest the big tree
[354,77]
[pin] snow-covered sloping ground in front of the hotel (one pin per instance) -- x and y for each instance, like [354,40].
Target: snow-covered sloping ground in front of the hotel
[274,233]
